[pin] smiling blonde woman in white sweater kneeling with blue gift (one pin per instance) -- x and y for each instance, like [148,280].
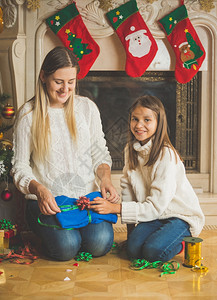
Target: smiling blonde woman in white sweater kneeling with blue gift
[60,149]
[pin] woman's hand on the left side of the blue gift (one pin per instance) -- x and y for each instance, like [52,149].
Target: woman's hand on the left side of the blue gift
[46,202]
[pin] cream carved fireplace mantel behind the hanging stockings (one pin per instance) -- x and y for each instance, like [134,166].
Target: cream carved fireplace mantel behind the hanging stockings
[26,39]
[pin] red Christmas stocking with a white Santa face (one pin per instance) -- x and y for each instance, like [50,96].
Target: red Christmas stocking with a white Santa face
[135,36]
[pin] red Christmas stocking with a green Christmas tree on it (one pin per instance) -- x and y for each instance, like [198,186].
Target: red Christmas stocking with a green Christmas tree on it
[68,25]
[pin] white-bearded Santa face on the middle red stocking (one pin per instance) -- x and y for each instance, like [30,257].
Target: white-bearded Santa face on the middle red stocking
[139,42]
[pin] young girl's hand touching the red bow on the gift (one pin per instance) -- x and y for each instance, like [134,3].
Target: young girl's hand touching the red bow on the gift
[103,206]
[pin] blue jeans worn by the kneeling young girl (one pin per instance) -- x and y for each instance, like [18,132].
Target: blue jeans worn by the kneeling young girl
[157,240]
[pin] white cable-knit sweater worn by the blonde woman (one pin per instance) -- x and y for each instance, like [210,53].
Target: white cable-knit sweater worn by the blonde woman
[70,168]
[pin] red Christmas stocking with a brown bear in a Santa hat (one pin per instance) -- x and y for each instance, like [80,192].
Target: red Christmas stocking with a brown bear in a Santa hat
[185,42]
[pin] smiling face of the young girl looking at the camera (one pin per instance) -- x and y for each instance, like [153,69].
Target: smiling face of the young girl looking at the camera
[143,123]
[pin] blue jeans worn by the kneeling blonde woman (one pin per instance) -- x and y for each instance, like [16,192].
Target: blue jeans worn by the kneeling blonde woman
[63,245]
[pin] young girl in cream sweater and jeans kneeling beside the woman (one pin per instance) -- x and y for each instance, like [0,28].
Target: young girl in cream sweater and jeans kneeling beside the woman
[156,194]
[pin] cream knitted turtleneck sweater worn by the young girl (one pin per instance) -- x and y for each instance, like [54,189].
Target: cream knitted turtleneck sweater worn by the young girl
[159,192]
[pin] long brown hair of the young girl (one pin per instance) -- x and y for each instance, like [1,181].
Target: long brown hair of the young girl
[160,139]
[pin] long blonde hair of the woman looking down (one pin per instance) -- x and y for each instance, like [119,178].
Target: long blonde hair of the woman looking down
[57,58]
